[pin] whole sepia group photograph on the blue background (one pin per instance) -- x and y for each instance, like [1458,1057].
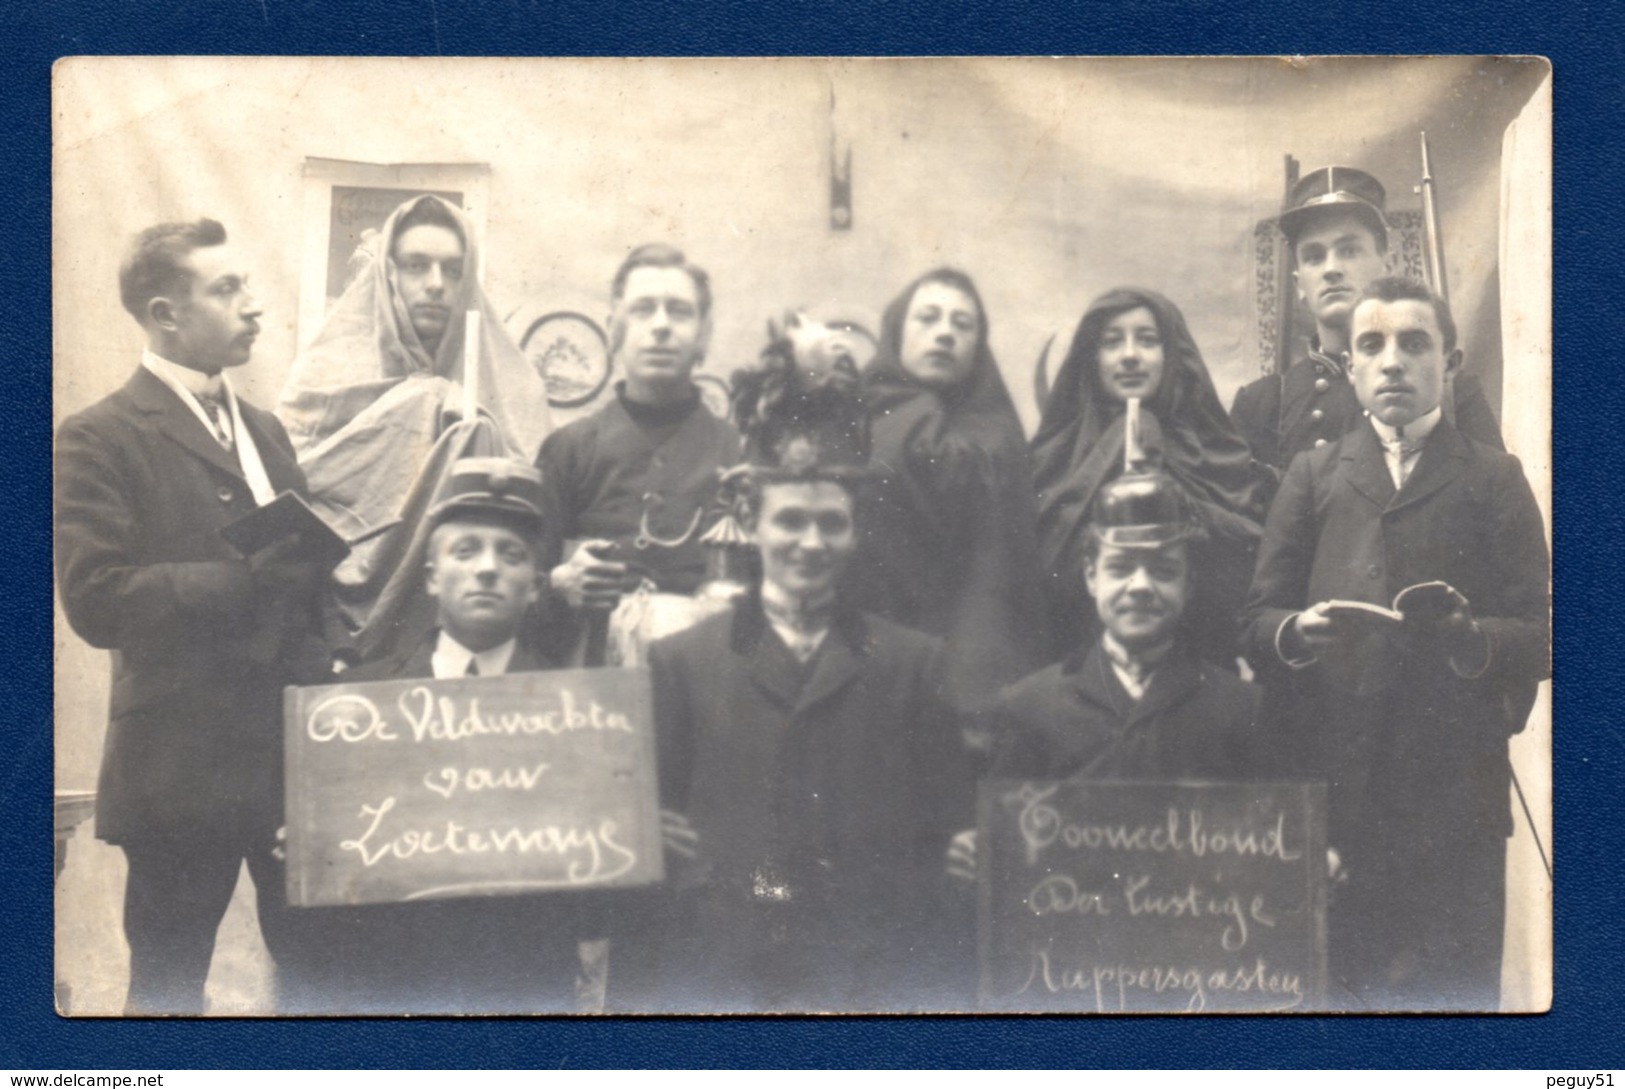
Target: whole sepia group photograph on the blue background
[802,536]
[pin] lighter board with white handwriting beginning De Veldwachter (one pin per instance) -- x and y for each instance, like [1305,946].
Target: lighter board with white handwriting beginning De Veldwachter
[402,791]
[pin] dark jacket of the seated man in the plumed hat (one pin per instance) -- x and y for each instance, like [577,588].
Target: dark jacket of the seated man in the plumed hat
[823,800]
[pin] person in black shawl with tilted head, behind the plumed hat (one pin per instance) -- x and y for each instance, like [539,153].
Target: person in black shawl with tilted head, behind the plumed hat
[948,532]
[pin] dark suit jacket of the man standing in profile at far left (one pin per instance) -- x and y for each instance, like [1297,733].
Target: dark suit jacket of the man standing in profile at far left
[201,653]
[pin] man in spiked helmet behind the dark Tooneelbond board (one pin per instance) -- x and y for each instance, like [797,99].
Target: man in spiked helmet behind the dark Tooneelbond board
[1137,703]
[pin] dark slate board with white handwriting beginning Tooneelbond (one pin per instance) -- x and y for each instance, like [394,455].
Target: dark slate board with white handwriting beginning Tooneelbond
[1153,898]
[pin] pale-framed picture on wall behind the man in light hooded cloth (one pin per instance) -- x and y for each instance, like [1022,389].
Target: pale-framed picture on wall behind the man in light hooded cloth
[345,206]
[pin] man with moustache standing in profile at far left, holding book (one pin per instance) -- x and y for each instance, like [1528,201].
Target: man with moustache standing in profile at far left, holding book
[204,641]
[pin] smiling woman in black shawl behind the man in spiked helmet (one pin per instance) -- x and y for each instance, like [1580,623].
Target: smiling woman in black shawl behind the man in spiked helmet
[1135,344]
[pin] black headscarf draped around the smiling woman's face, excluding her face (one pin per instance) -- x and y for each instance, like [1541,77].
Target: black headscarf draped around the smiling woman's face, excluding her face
[1080,448]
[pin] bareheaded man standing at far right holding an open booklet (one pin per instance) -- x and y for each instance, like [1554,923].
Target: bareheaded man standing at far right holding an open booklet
[1408,719]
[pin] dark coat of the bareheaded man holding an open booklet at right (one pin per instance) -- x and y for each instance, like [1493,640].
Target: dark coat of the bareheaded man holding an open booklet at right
[1415,755]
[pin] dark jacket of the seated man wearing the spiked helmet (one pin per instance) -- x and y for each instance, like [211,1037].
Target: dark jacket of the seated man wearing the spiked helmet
[1075,721]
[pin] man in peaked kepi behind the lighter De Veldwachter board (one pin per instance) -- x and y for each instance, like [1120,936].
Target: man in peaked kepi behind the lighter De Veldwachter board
[479,955]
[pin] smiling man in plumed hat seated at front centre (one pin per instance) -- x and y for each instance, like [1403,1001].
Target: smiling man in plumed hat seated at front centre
[807,744]
